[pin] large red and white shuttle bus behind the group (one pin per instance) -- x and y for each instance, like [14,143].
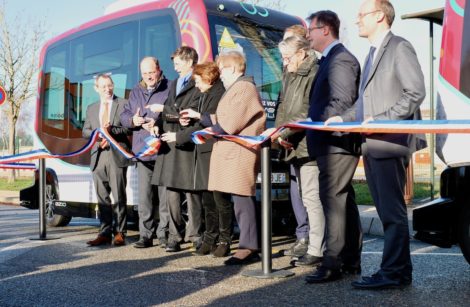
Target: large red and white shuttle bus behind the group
[114,43]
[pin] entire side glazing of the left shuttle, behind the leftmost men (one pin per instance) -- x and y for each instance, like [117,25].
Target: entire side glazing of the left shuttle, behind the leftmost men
[114,47]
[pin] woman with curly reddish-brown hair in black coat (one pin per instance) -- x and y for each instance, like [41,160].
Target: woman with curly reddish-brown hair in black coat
[217,206]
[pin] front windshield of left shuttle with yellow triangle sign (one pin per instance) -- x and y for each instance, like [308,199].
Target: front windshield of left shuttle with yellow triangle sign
[259,44]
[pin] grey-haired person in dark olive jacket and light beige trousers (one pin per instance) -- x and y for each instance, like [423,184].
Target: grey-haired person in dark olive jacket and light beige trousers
[300,68]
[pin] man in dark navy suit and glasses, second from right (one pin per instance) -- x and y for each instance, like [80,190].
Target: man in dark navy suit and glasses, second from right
[334,90]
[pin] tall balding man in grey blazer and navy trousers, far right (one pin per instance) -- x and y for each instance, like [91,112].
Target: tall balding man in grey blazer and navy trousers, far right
[392,88]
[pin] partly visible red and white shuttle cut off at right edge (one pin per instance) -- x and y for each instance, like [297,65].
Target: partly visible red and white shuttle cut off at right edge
[446,221]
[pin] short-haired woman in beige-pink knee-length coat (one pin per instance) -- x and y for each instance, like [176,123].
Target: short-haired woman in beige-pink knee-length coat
[233,167]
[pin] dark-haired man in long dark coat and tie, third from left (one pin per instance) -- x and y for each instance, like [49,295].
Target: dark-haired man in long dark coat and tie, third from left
[175,167]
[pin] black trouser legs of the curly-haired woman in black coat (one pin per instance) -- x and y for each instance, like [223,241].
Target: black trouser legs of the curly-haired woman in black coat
[218,211]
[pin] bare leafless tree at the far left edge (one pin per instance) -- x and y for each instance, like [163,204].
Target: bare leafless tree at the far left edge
[19,45]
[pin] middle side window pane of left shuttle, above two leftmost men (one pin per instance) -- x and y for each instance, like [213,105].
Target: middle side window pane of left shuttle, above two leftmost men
[111,50]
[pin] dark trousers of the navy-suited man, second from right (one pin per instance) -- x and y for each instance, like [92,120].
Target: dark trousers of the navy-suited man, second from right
[343,233]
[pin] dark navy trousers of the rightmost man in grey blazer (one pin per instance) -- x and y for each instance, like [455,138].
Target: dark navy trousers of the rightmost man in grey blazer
[386,179]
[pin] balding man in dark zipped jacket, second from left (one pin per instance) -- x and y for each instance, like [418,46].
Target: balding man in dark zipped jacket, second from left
[152,89]
